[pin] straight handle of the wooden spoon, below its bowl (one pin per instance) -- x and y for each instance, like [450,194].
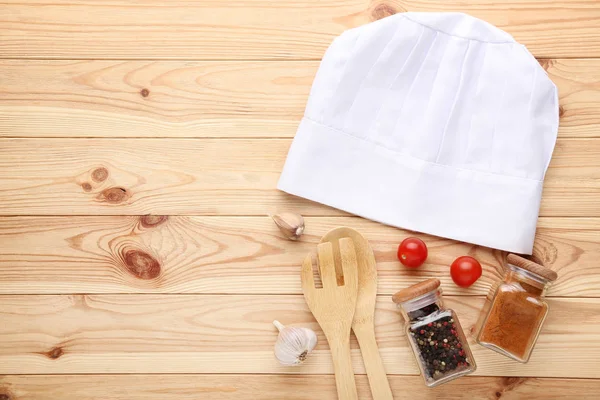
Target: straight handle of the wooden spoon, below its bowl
[380,387]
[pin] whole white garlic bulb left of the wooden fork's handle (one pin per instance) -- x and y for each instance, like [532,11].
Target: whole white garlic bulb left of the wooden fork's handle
[293,344]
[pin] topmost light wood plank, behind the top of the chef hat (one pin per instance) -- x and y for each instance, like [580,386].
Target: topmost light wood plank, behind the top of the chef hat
[253,29]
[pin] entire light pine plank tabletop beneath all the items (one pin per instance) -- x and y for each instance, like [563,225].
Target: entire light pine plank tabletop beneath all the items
[140,146]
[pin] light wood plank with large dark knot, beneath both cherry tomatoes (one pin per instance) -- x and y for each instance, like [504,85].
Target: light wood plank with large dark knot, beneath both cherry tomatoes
[62,255]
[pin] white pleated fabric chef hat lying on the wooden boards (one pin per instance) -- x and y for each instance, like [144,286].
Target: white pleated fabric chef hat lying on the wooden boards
[434,122]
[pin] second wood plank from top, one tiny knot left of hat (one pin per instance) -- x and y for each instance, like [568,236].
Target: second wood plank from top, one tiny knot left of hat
[207,99]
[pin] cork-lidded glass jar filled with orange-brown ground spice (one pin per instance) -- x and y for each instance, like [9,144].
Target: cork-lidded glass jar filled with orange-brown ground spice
[515,309]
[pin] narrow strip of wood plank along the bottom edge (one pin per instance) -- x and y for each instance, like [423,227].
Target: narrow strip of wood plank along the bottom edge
[288,387]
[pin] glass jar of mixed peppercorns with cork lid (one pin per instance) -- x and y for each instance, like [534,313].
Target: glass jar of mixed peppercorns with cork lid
[434,333]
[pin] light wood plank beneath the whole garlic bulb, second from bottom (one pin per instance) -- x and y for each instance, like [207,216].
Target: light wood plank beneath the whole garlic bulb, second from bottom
[234,334]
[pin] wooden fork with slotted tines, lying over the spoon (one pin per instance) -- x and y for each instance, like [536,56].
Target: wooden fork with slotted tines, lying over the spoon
[333,306]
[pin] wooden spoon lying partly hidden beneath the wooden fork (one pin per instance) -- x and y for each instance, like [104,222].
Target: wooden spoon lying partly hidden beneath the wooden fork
[363,324]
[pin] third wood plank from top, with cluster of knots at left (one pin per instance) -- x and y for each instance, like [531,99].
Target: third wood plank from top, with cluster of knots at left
[212,176]
